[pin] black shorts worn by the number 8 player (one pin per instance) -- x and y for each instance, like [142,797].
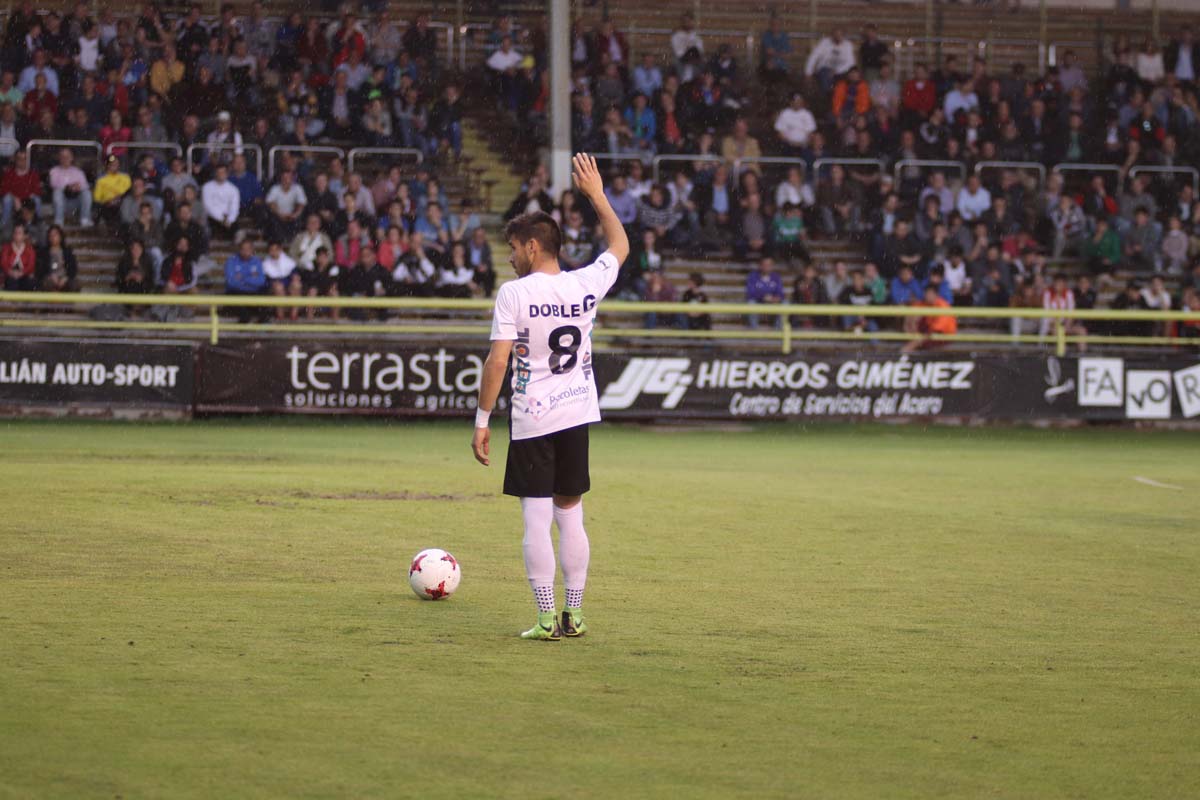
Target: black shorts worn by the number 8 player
[543,467]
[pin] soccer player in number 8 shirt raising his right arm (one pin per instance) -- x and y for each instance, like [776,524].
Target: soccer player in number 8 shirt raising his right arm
[543,322]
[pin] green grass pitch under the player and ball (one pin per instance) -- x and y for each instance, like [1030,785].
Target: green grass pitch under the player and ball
[221,610]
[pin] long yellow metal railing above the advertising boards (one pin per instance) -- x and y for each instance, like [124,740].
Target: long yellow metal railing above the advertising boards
[787,334]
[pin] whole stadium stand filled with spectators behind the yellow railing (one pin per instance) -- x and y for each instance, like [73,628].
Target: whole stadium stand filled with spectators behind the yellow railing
[749,149]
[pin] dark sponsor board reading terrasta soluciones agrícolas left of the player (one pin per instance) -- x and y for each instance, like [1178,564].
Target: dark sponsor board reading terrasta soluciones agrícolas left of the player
[340,378]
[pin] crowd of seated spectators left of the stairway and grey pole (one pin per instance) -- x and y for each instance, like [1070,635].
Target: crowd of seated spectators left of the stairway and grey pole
[238,87]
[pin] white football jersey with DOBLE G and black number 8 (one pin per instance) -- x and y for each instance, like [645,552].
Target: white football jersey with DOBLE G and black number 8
[550,320]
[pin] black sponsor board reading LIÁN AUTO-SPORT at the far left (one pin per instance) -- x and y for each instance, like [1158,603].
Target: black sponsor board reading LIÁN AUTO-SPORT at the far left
[118,375]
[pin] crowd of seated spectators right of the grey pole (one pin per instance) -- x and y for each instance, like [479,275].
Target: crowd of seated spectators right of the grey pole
[987,239]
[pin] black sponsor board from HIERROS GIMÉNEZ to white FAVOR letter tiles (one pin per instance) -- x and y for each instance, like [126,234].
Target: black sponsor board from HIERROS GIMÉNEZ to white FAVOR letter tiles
[923,386]
